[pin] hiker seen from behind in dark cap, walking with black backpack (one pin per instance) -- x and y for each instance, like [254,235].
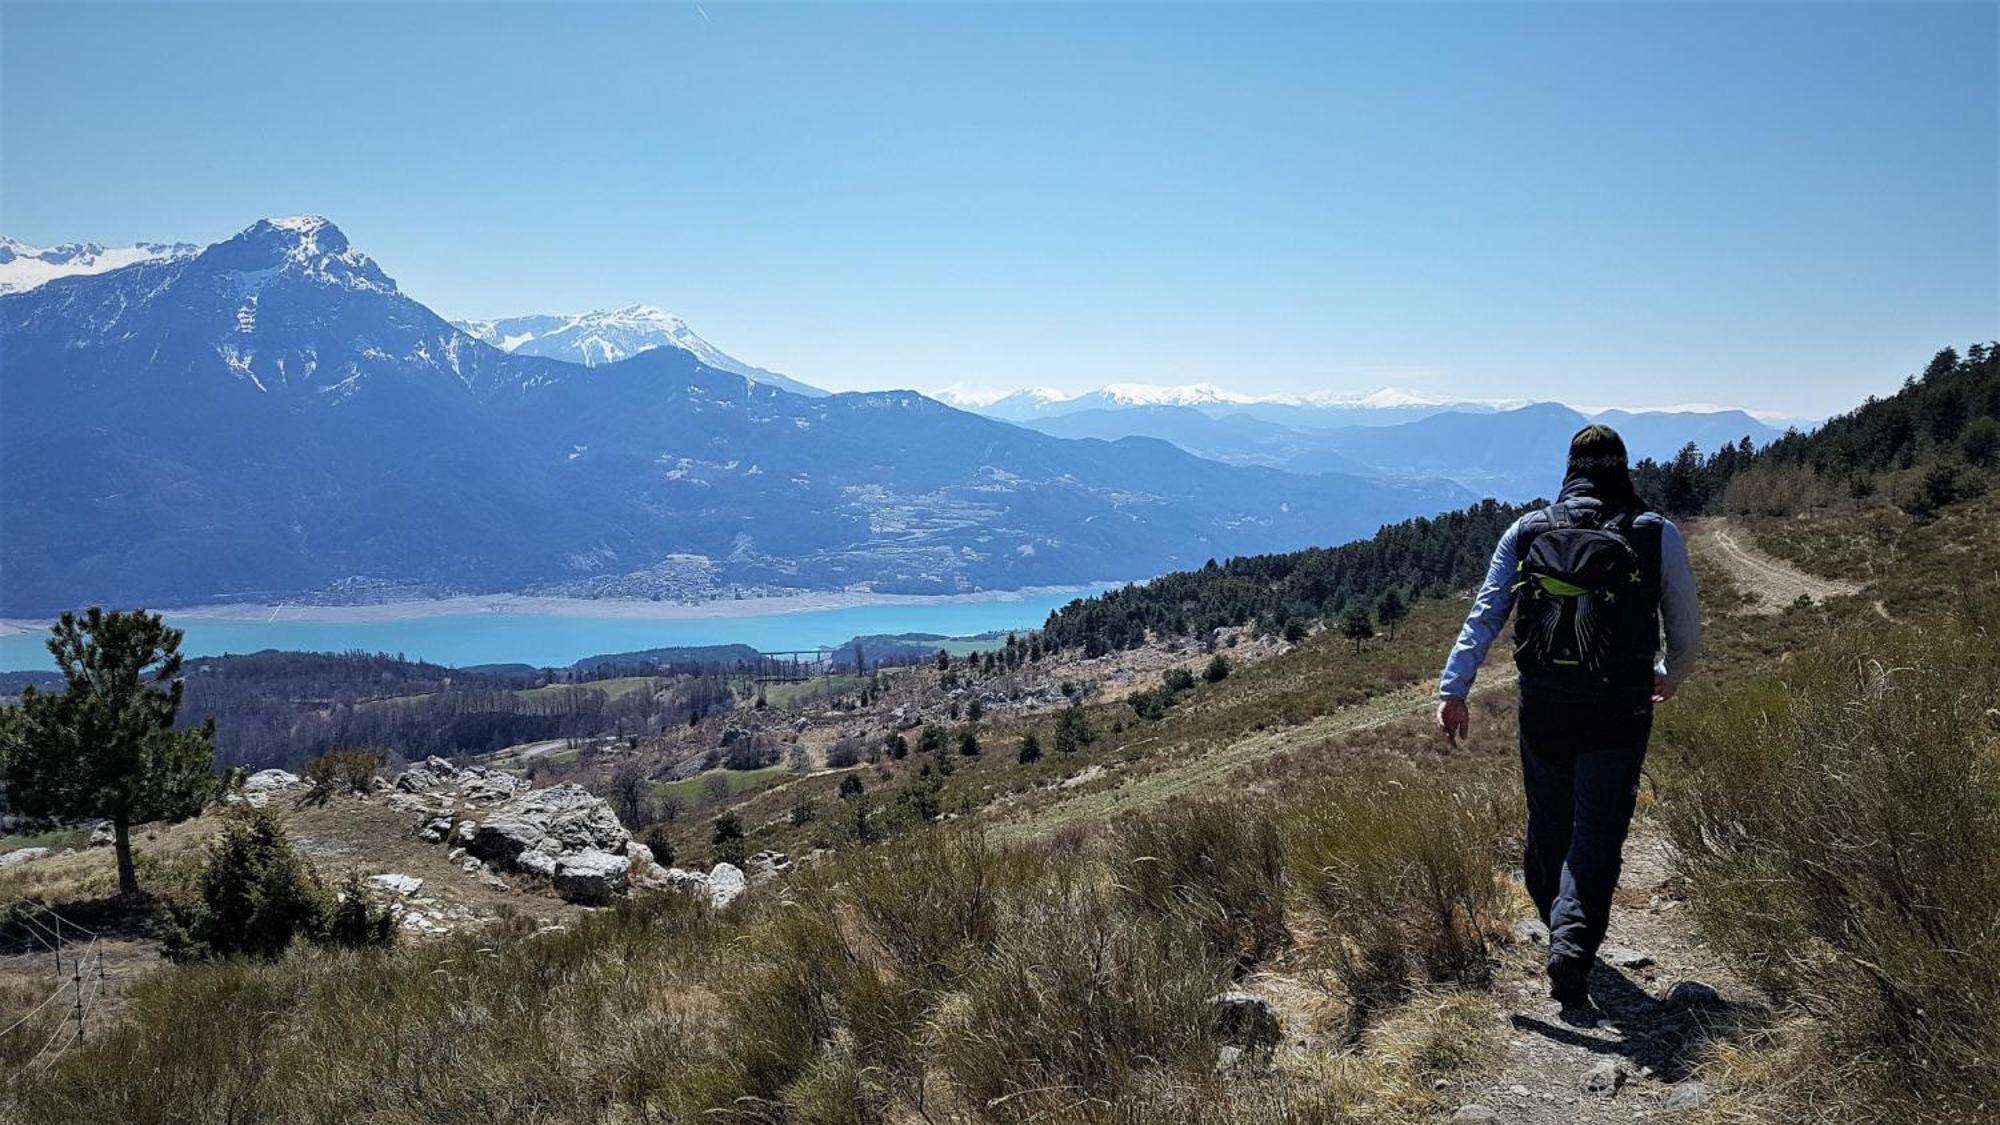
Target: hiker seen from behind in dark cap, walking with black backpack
[1591,582]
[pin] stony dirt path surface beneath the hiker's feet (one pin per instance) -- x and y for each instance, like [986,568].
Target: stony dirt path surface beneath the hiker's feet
[1659,1000]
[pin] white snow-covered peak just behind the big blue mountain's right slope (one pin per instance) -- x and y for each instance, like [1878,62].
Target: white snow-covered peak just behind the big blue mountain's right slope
[609,337]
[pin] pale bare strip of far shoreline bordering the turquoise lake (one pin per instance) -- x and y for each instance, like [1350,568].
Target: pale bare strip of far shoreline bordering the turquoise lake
[611,610]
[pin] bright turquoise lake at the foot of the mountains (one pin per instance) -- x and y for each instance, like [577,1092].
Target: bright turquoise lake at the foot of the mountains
[563,640]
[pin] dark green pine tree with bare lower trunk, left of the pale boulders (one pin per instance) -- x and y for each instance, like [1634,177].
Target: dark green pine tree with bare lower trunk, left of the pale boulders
[107,746]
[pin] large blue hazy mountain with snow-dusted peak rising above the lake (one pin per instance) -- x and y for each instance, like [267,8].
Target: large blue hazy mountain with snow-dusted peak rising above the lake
[275,417]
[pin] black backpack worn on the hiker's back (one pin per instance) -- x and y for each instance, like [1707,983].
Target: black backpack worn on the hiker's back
[1587,598]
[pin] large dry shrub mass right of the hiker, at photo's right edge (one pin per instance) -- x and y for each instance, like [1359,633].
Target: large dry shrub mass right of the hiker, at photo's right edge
[1843,838]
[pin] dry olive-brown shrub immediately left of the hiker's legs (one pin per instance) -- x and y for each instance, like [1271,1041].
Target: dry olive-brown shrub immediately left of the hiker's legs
[1403,880]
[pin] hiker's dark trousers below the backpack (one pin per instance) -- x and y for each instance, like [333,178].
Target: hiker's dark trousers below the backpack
[1581,766]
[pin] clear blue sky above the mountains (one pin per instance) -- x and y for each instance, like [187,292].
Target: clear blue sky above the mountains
[1767,205]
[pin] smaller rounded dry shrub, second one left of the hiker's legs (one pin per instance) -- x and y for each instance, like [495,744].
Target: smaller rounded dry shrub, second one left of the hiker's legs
[1213,866]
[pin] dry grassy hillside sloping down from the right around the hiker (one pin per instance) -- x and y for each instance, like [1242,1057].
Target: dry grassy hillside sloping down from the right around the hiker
[981,938]
